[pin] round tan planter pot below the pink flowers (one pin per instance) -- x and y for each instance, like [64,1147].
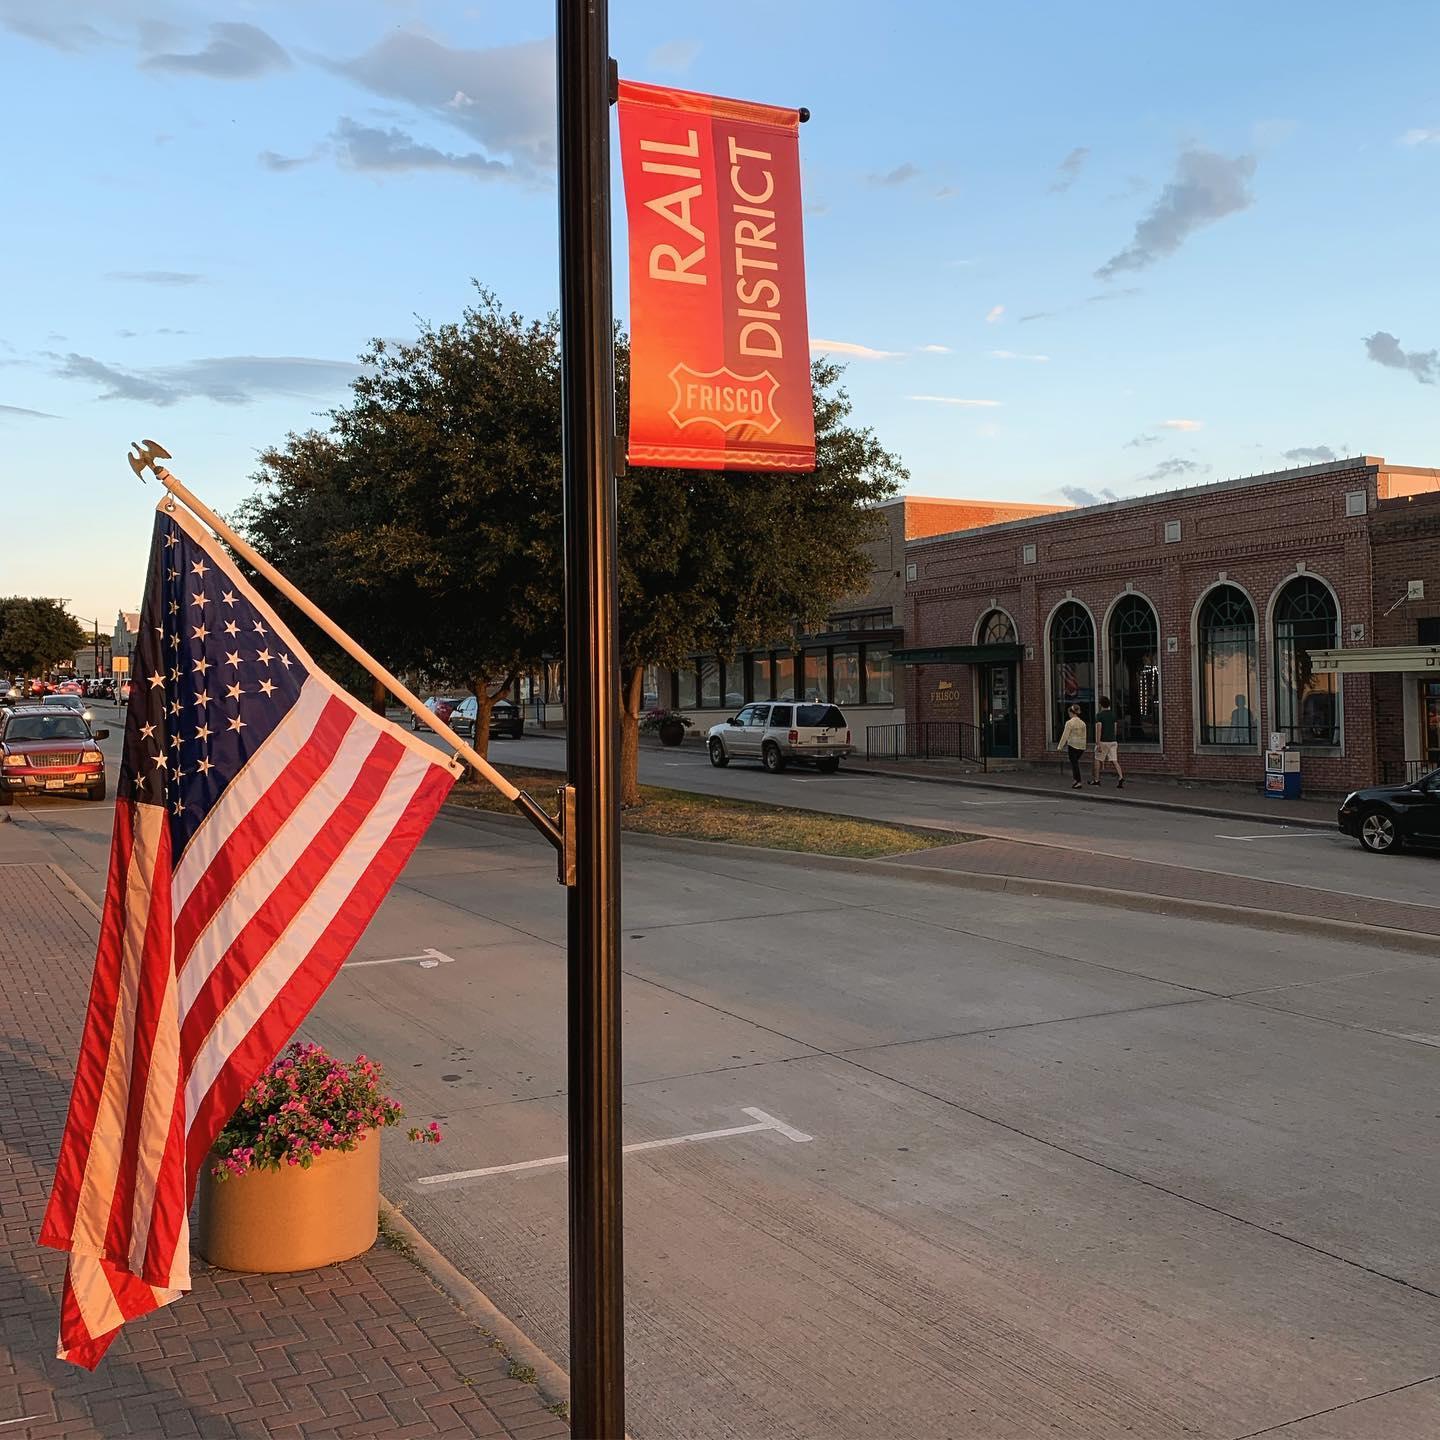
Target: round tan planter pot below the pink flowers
[293,1219]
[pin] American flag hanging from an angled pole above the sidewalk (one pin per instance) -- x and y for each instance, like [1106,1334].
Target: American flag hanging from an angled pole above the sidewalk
[261,817]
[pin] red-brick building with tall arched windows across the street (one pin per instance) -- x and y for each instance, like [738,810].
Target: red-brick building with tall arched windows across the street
[1213,616]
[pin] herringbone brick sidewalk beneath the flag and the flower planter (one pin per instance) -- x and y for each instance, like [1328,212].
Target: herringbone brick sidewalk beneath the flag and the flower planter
[365,1349]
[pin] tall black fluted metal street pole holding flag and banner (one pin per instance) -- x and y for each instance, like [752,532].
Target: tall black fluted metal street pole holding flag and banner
[593,724]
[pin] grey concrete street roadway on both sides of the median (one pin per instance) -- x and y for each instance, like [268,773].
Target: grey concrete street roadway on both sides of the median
[948,1164]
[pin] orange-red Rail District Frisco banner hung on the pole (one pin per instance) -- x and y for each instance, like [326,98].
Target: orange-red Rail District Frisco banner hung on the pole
[719,339]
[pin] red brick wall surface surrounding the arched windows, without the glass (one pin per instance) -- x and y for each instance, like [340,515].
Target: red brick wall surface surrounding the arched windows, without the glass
[1256,534]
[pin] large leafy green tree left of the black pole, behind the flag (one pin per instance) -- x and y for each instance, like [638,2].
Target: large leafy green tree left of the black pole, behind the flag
[427,521]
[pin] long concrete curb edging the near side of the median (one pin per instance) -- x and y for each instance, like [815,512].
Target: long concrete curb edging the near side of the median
[1282,922]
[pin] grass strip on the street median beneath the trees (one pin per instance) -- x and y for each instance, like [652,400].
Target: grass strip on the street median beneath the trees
[719,819]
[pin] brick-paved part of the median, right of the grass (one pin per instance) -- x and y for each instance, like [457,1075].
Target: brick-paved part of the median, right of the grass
[1115,873]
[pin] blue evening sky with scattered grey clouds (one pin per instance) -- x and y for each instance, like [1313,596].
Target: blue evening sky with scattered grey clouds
[1066,253]
